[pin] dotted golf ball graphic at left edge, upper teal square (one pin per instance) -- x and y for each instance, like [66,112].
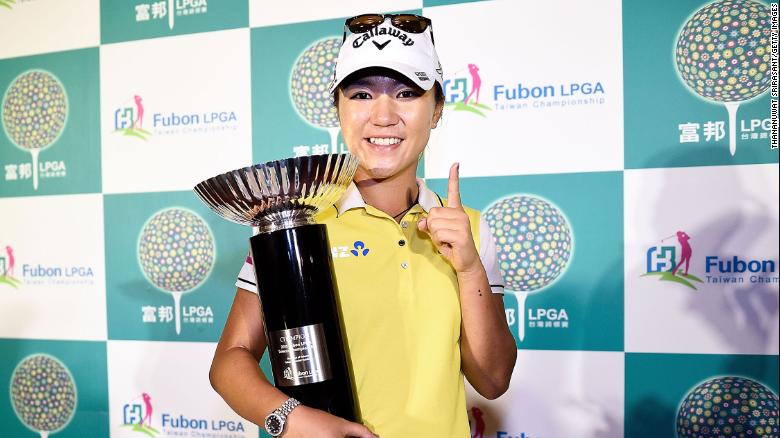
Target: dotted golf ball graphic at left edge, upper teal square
[35,109]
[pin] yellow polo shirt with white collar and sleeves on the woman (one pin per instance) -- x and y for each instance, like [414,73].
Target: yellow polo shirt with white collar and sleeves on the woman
[399,304]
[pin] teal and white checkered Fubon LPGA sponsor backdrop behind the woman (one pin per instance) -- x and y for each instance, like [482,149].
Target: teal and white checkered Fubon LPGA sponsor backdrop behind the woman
[620,152]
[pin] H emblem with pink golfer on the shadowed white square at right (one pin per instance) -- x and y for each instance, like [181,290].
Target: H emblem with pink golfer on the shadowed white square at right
[663,262]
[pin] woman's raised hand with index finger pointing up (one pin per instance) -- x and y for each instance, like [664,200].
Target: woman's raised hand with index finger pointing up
[450,229]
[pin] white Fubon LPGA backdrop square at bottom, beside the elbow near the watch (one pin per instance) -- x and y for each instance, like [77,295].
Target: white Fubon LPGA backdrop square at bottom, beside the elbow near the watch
[166,385]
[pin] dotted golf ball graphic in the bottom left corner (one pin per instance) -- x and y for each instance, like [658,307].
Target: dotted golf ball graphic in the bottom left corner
[43,394]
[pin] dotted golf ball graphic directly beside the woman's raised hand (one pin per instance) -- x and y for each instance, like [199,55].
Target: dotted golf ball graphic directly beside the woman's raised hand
[533,240]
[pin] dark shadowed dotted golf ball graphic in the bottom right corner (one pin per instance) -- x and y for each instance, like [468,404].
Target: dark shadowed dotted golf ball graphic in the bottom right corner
[728,407]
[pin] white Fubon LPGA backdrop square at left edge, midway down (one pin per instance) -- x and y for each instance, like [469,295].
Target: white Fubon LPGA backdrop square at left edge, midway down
[51,251]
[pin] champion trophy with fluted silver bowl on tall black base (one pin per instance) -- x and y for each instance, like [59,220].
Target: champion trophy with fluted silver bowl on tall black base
[293,269]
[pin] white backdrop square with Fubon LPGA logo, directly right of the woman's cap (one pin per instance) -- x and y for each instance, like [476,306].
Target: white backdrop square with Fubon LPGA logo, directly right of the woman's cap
[568,50]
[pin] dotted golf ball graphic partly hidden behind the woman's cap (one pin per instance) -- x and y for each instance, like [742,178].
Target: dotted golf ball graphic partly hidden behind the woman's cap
[311,77]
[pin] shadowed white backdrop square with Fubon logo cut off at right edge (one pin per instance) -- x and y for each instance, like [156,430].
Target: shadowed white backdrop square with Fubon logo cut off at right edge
[727,212]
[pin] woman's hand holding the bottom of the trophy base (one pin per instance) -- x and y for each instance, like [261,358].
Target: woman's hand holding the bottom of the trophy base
[306,422]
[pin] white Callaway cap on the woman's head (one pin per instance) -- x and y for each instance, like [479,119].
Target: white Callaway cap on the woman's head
[411,54]
